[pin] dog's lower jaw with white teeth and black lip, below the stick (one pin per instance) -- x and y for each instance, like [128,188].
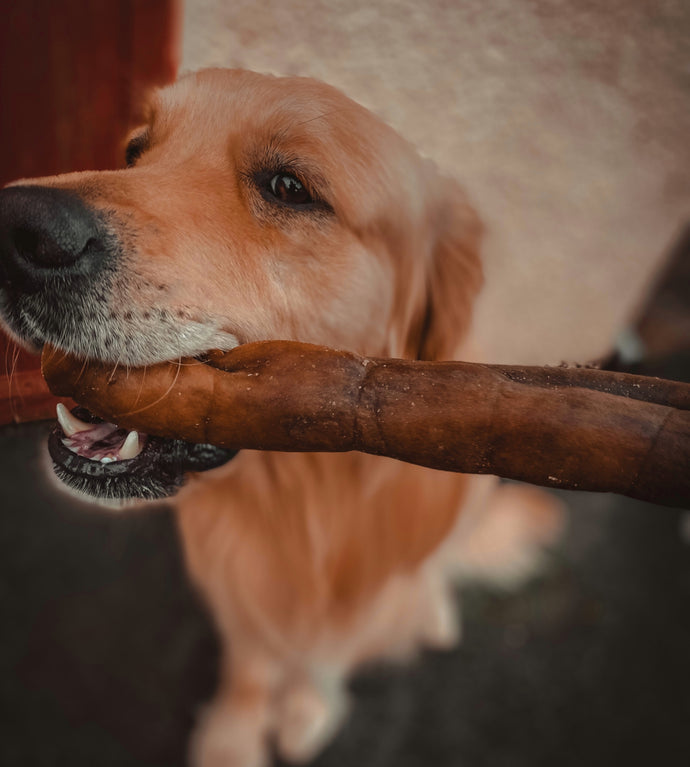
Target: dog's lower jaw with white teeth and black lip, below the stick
[103,461]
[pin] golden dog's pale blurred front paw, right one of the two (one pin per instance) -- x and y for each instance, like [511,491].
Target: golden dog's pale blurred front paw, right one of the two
[311,709]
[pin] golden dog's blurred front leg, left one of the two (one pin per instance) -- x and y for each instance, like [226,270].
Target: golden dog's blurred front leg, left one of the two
[233,731]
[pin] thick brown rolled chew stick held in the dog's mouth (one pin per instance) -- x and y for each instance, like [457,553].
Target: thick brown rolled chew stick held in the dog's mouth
[561,427]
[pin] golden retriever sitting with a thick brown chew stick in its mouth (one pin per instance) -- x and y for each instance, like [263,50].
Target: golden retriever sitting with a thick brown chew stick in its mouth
[255,207]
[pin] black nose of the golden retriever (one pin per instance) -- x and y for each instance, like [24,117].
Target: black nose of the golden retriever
[45,230]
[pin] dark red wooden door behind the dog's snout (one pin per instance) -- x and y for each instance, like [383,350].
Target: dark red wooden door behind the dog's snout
[72,73]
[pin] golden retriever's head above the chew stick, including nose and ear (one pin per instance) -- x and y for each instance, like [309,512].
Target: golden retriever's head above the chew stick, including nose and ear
[252,208]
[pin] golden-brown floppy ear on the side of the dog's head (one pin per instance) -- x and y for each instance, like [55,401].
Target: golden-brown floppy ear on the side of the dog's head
[454,273]
